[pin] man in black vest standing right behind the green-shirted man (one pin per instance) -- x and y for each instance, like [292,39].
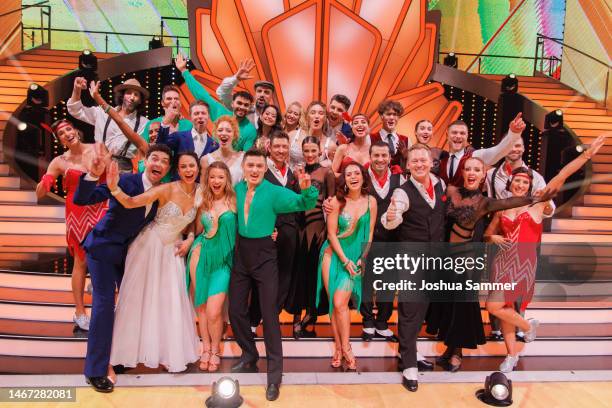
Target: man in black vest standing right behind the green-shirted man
[286,225]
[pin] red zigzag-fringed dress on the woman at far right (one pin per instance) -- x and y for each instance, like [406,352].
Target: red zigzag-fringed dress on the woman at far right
[518,264]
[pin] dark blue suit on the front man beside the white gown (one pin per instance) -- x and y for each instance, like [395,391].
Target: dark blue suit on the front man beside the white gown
[106,246]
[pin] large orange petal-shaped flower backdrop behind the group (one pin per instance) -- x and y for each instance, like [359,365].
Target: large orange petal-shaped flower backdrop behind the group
[368,50]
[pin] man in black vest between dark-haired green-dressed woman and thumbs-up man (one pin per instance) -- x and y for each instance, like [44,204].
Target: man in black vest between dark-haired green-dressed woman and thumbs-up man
[382,186]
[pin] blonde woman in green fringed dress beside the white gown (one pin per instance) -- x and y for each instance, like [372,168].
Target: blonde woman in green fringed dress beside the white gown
[211,258]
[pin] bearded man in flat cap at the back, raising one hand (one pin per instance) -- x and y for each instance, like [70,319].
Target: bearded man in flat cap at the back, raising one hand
[264,90]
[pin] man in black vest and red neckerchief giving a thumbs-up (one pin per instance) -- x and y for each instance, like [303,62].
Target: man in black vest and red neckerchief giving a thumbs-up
[416,213]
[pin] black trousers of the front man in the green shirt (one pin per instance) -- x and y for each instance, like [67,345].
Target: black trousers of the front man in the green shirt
[255,266]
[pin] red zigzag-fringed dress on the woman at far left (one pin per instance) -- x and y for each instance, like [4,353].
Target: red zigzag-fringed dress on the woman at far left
[80,220]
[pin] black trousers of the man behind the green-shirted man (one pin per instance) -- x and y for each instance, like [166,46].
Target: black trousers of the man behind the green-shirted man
[286,245]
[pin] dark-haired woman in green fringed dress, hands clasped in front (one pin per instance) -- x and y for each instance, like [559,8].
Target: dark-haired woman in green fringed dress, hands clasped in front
[349,226]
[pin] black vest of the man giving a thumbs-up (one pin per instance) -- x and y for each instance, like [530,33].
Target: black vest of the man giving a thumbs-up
[421,223]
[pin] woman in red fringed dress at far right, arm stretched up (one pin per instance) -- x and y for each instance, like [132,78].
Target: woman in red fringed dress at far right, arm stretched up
[518,263]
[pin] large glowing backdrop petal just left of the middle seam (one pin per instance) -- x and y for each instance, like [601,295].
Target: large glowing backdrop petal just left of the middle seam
[293,51]
